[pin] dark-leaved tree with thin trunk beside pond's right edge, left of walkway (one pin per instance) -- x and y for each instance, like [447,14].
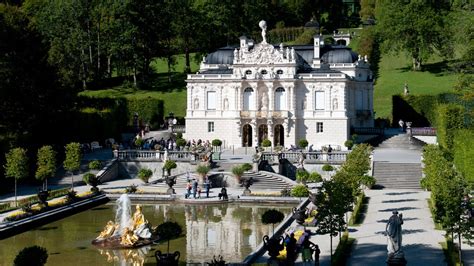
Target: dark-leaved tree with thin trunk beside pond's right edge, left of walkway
[332,203]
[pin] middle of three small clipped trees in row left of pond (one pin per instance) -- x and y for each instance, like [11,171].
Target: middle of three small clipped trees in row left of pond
[46,165]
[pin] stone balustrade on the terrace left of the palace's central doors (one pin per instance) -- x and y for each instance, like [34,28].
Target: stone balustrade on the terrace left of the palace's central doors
[154,156]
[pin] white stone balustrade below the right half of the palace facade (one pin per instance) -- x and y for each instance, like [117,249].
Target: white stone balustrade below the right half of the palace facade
[334,157]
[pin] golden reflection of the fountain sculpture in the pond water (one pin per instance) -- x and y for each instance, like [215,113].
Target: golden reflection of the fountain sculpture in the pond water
[132,257]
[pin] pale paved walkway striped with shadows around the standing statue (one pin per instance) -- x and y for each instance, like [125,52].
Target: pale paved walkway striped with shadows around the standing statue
[420,239]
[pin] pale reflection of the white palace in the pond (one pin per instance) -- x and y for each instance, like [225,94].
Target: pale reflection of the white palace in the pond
[228,230]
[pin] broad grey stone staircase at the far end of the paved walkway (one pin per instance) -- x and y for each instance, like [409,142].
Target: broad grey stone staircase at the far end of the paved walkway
[397,175]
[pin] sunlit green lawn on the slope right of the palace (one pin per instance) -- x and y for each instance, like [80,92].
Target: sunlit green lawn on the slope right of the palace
[395,71]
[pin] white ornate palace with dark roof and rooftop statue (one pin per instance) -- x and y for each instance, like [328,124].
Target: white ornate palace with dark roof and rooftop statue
[245,94]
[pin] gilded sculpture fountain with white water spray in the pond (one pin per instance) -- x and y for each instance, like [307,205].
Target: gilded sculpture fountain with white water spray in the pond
[127,231]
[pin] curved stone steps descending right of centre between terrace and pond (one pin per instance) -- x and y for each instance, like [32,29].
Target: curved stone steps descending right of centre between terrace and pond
[267,181]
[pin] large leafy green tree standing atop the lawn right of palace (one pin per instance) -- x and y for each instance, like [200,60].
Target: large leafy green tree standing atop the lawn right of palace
[415,27]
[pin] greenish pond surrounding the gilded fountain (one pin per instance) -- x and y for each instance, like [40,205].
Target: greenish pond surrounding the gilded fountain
[230,230]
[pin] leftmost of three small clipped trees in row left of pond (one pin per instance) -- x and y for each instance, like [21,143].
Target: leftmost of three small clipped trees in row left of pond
[16,166]
